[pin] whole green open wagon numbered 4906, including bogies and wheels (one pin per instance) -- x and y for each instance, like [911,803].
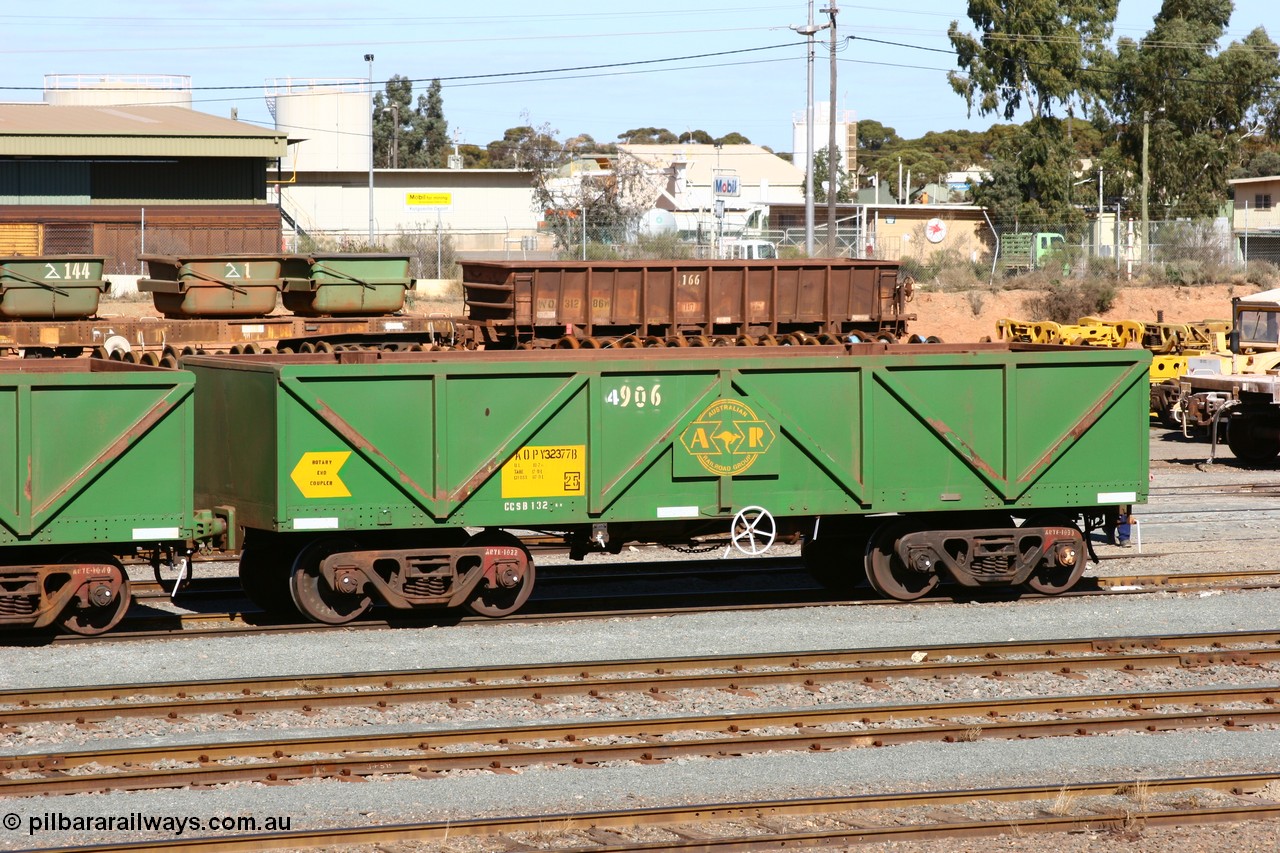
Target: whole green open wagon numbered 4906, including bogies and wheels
[401,478]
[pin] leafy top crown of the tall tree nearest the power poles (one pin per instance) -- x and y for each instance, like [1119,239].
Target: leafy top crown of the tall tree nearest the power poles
[1030,52]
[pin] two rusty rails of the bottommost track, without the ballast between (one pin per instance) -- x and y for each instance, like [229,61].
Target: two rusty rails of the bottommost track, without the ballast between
[702,814]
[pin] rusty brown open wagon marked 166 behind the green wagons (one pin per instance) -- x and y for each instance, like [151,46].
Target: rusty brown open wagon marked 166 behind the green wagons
[683,302]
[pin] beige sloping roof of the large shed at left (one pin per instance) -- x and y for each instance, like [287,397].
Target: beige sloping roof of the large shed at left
[45,130]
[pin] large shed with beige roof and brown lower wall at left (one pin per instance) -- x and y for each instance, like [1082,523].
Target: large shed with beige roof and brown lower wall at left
[122,180]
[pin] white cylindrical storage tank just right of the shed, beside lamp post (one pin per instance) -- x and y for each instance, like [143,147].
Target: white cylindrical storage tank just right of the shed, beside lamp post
[331,118]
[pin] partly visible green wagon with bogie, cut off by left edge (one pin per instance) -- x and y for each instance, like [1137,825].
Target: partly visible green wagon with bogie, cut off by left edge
[97,466]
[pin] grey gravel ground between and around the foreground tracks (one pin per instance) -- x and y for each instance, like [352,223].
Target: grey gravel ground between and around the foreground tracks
[1182,531]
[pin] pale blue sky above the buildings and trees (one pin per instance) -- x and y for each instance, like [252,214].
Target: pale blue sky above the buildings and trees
[574,67]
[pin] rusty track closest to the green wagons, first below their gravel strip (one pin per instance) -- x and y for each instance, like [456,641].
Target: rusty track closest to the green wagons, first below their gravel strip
[536,682]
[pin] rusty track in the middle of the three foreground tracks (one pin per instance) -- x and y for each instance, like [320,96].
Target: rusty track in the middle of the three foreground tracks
[729,736]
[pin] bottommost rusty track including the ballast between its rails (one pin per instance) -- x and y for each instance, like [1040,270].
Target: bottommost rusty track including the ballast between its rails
[1096,808]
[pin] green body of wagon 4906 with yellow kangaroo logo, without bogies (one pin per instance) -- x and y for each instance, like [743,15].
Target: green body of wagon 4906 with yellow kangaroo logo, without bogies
[546,440]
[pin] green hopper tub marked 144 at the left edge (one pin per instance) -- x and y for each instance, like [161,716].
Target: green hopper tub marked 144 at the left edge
[58,288]
